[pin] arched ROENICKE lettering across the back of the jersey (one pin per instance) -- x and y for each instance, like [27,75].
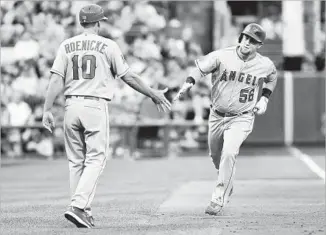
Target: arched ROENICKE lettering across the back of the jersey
[85,45]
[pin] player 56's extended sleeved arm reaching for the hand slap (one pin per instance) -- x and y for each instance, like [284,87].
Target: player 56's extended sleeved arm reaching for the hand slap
[204,65]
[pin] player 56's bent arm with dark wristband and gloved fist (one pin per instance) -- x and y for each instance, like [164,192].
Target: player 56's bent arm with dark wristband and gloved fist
[268,88]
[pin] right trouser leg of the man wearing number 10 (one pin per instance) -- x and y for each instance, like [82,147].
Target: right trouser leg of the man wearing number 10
[96,124]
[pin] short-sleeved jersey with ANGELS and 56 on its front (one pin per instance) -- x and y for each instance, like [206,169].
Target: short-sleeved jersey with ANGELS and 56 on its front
[235,83]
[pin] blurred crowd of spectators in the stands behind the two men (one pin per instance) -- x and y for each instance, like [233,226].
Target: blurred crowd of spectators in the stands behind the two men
[156,46]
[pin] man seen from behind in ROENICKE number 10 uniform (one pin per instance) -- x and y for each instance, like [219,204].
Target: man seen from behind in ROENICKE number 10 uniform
[86,66]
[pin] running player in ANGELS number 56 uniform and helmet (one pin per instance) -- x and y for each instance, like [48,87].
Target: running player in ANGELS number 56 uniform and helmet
[236,74]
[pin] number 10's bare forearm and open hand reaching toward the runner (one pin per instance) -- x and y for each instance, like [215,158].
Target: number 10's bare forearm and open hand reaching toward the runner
[135,82]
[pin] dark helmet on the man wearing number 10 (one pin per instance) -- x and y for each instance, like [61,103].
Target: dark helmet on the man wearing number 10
[91,14]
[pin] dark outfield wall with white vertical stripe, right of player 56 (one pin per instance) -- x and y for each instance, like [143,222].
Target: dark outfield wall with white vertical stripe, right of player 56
[295,112]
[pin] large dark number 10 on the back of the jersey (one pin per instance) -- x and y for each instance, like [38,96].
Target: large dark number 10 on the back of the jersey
[88,67]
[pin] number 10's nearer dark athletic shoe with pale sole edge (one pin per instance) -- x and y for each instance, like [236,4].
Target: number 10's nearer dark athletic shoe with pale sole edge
[78,217]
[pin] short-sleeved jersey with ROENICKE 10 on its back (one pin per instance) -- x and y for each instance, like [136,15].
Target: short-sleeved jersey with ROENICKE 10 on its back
[89,64]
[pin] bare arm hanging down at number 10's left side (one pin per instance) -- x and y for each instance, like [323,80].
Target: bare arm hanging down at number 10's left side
[55,87]
